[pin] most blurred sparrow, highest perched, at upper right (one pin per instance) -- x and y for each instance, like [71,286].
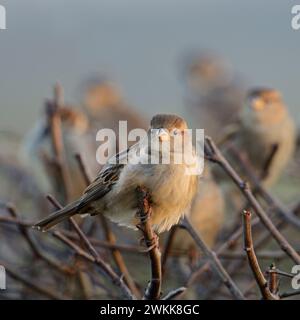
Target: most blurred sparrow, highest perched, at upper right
[214,96]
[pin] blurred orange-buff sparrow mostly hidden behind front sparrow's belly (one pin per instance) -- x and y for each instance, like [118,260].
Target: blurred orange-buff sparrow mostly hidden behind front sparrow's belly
[206,214]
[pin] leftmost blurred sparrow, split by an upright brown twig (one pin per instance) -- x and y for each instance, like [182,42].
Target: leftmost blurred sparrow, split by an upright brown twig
[38,143]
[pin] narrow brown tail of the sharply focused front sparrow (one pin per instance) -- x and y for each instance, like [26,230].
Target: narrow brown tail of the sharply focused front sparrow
[58,216]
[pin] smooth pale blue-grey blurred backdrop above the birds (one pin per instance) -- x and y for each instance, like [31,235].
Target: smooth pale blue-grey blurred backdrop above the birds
[139,43]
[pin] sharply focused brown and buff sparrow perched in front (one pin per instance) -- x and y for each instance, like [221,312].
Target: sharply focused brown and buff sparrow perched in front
[113,192]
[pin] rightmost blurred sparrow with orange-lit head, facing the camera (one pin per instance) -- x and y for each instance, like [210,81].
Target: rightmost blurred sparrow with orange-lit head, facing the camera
[266,128]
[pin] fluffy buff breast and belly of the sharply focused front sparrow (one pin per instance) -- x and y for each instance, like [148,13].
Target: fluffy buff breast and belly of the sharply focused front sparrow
[171,192]
